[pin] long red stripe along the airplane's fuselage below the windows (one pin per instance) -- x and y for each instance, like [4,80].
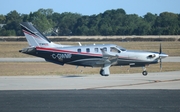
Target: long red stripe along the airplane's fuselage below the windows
[65,51]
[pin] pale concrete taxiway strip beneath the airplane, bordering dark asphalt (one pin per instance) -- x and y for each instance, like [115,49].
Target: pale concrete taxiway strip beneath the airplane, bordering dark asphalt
[158,80]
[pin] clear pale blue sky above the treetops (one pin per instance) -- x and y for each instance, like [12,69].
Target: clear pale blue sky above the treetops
[90,7]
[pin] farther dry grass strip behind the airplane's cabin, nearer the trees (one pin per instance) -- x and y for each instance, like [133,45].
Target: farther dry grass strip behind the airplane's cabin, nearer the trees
[10,49]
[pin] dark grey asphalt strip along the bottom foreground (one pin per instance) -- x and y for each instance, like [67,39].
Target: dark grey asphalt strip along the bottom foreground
[90,101]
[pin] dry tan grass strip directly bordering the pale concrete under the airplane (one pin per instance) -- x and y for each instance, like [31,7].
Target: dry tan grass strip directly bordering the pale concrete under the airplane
[45,68]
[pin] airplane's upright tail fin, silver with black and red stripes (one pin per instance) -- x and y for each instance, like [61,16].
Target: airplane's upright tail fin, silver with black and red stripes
[34,37]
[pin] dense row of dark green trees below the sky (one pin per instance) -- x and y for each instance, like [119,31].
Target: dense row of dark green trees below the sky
[110,22]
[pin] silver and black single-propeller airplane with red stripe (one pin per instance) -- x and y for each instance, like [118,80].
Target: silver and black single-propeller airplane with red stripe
[100,55]
